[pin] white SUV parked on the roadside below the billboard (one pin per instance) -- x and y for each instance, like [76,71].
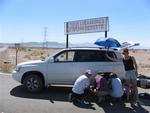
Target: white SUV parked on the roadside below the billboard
[64,67]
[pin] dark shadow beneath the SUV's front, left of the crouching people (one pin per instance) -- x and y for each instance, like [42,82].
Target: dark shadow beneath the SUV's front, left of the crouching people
[53,93]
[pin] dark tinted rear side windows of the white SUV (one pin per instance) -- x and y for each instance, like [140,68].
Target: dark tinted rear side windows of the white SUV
[94,56]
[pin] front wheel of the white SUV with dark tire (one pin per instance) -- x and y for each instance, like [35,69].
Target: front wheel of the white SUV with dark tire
[33,83]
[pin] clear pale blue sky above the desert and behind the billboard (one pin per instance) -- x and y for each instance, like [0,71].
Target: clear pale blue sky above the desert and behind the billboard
[24,20]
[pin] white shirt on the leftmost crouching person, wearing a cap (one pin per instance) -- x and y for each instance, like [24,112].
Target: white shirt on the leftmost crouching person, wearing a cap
[81,84]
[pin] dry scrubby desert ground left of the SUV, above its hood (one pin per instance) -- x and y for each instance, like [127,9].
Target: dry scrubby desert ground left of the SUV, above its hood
[8,57]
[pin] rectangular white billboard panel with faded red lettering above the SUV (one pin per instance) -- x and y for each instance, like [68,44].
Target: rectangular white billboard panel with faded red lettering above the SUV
[87,26]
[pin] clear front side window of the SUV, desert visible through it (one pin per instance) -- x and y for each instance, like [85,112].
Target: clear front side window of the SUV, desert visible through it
[65,56]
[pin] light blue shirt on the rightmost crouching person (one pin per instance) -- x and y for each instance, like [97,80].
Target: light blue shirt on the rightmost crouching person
[117,90]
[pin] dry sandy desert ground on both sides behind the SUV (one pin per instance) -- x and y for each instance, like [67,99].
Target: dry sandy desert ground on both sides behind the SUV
[8,57]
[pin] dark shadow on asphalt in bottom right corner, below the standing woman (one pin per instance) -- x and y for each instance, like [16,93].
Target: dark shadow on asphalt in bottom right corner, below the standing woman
[122,107]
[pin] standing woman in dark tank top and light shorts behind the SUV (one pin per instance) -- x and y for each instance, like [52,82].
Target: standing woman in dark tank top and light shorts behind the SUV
[131,75]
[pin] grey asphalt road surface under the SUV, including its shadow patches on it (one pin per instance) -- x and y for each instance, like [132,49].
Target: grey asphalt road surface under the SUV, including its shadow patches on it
[13,99]
